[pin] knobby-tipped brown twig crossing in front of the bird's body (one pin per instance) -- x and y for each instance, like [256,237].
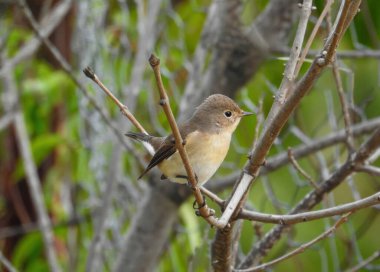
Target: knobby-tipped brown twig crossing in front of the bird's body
[204,210]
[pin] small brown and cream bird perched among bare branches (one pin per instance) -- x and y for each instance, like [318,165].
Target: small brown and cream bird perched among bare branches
[207,135]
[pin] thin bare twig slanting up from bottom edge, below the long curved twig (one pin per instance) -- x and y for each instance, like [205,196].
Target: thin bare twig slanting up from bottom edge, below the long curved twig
[300,249]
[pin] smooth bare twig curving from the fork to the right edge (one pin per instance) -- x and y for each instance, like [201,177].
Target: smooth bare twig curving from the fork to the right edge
[313,215]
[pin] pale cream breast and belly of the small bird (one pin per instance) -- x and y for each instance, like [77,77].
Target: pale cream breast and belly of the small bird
[206,153]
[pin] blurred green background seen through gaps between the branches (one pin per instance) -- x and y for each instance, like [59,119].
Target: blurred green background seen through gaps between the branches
[71,144]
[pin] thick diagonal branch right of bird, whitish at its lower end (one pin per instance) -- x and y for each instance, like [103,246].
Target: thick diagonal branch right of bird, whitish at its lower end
[274,126]
